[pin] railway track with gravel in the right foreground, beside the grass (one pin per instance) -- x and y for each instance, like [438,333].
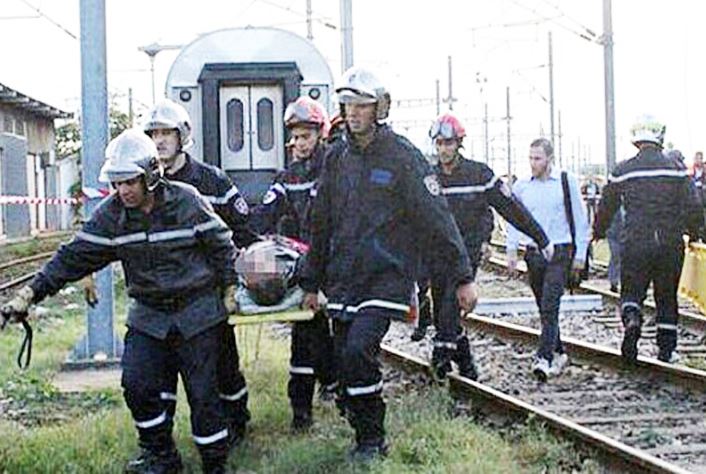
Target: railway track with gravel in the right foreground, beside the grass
[643,418]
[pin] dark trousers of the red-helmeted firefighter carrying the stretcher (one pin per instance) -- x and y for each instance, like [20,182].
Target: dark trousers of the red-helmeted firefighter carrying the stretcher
[312,359]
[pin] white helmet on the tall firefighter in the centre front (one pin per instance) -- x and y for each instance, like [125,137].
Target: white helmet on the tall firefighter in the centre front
[360,86]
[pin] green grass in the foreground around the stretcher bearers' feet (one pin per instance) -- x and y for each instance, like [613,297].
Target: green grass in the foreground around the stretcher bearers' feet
[94,432]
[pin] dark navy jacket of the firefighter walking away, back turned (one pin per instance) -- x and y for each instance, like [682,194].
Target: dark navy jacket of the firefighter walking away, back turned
[659,200]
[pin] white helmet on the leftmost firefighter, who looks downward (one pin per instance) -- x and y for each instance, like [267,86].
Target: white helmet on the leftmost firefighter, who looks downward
[129,155]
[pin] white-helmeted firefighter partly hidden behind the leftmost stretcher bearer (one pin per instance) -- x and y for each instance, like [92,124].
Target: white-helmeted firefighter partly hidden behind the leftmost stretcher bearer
[169,126]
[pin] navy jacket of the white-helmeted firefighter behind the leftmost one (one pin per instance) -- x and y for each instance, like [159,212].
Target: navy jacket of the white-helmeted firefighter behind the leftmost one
[223,195]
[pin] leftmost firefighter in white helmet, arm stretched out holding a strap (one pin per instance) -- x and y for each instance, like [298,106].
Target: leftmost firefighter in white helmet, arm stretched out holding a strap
[179,262]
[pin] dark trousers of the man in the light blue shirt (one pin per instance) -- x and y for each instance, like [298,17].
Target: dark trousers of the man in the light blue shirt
[547,280]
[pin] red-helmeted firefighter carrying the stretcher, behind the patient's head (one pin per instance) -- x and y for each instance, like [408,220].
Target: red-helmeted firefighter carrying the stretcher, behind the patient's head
[285,211]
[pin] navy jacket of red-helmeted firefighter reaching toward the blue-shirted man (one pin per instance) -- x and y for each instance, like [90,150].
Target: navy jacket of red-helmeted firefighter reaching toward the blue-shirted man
[470,189]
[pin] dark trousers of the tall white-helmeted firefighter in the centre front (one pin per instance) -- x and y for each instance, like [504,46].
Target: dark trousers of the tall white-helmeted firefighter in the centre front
[357,347]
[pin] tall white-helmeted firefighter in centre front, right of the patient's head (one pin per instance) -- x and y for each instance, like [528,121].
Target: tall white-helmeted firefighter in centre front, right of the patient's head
[378,209]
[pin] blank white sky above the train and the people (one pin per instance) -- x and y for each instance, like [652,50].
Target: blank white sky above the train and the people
[660,55]
